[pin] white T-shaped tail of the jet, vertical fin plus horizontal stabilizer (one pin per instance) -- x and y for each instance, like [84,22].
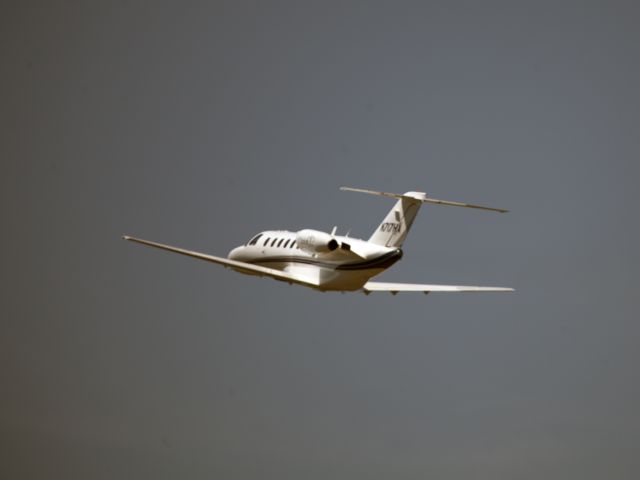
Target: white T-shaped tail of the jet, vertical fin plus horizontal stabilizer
[394,228]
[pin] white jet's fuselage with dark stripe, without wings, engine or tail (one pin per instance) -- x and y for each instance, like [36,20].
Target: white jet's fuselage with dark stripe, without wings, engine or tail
[347,267]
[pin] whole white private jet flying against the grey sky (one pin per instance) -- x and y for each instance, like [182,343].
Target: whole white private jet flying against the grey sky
[329,262]
